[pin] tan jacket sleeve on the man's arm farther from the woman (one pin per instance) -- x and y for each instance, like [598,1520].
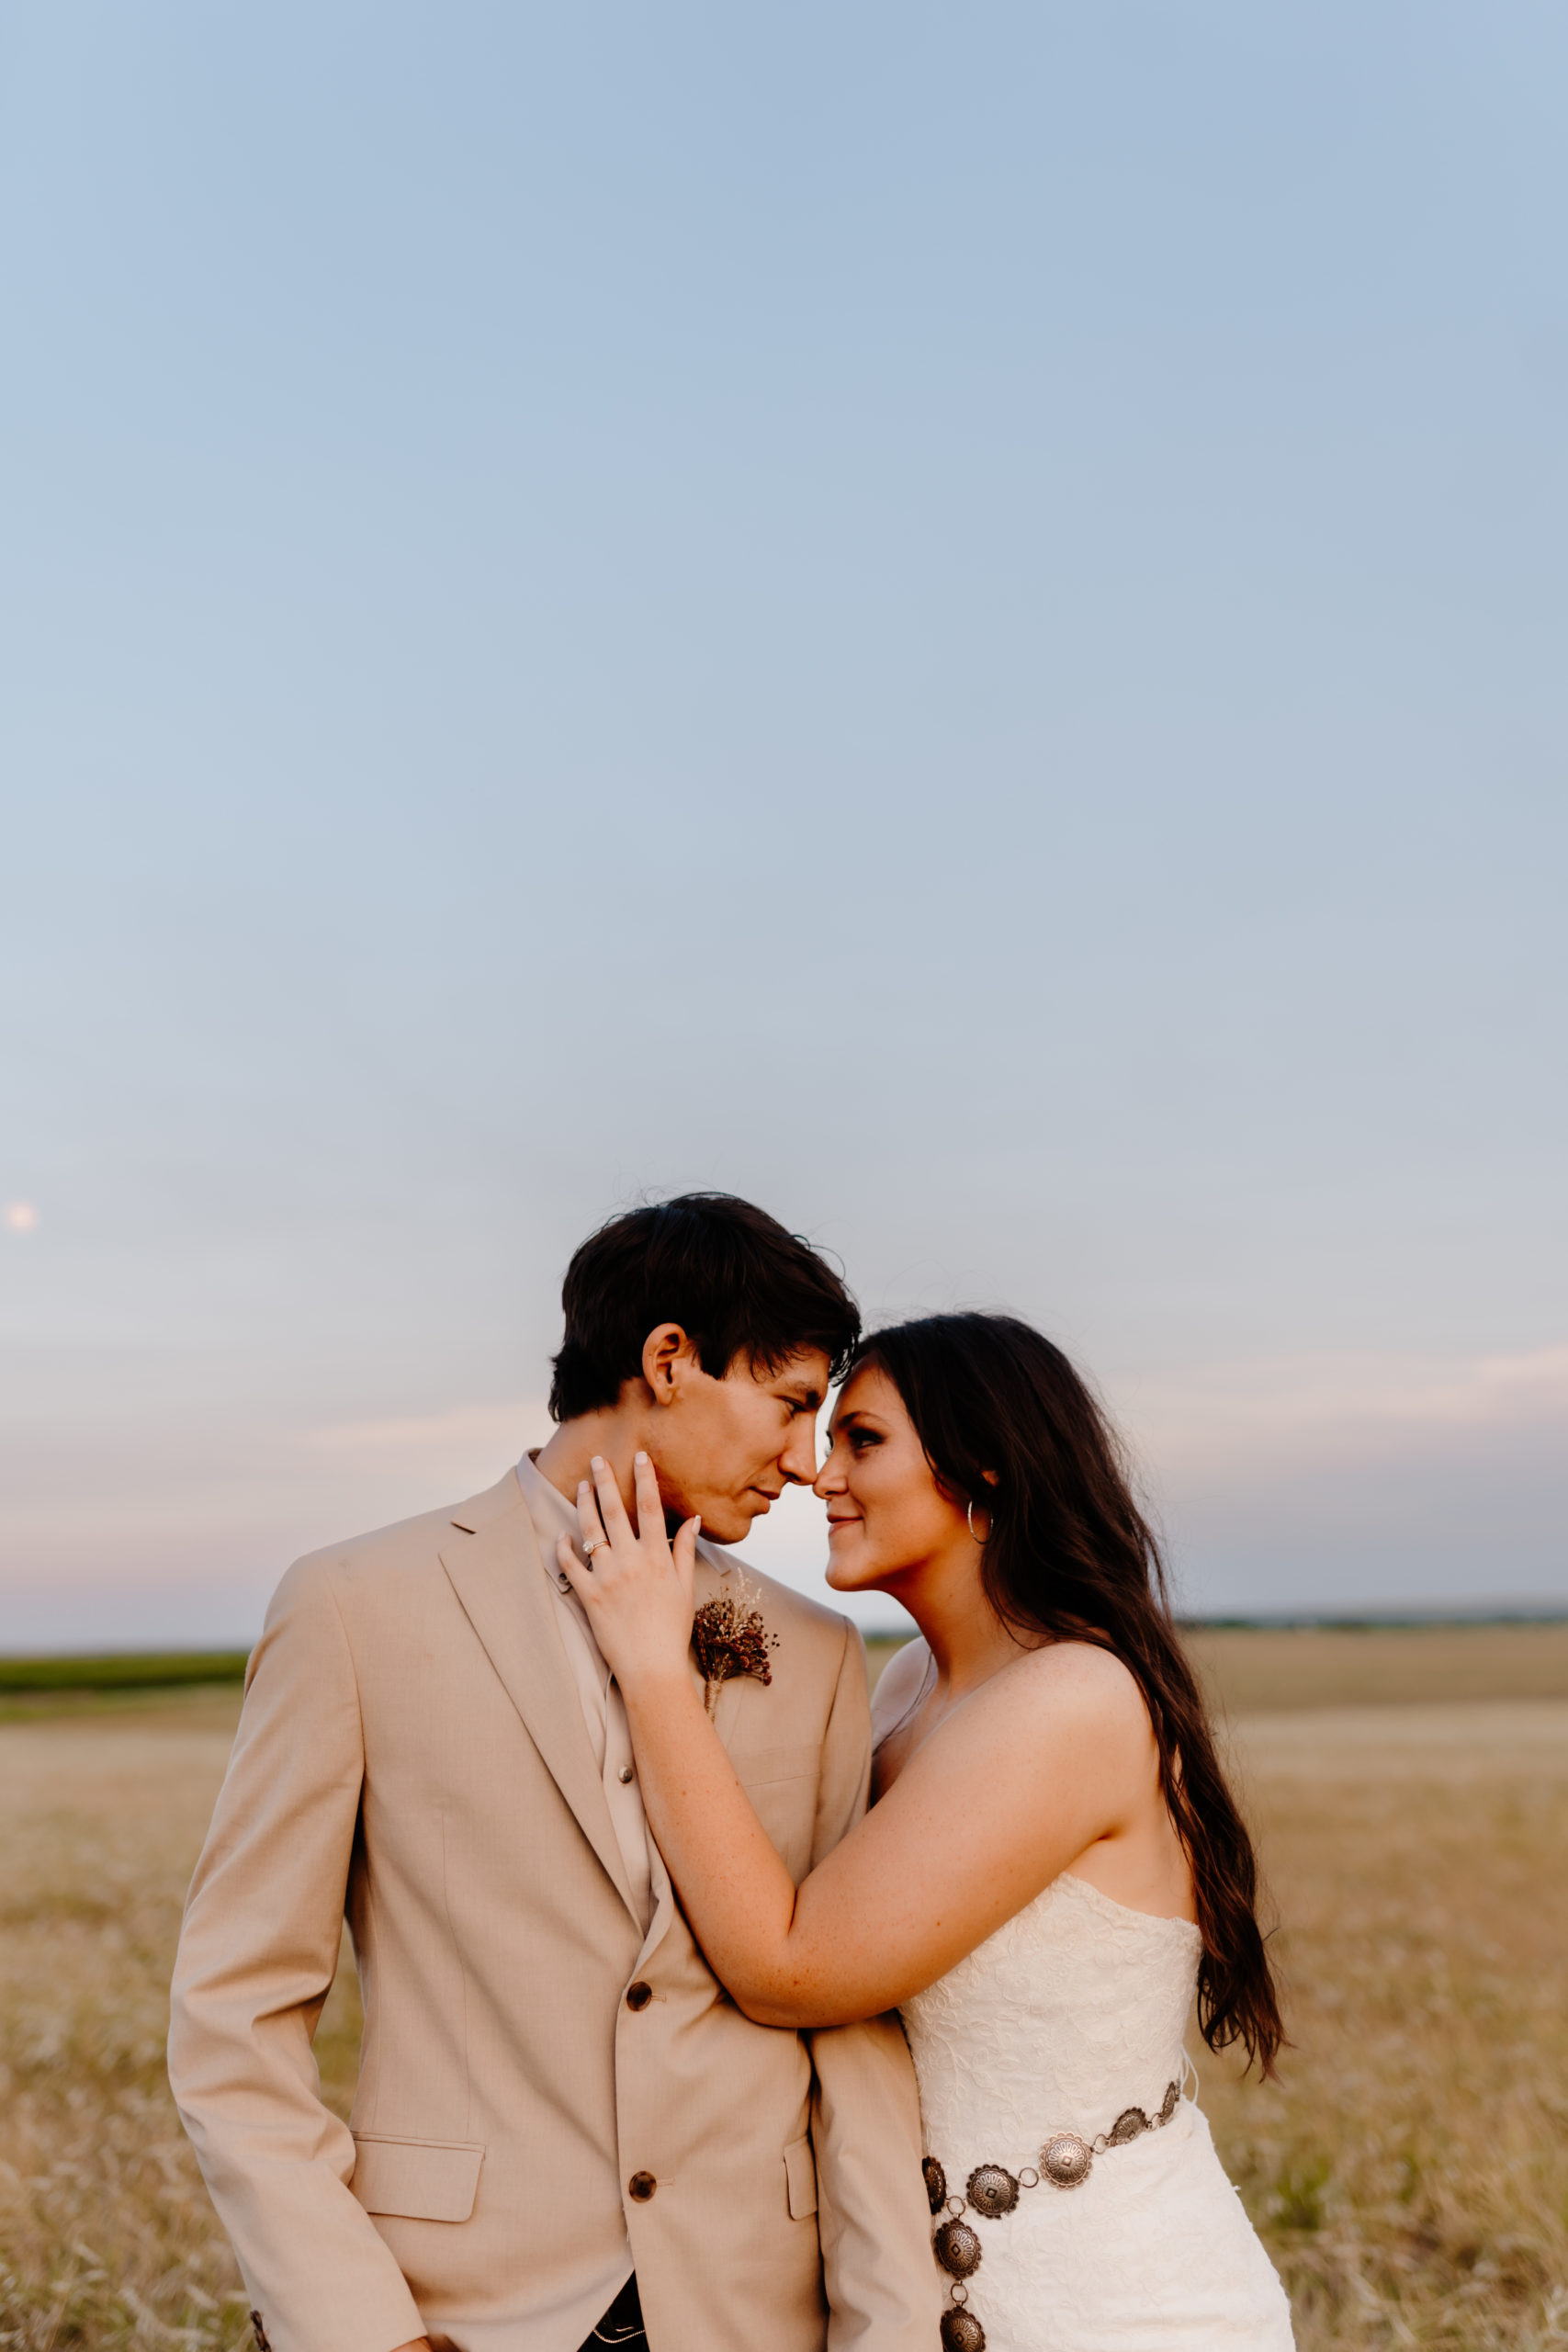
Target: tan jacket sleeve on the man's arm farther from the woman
[255,1965]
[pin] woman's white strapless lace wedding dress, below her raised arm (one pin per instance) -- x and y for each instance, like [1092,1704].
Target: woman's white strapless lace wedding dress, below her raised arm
[1059,2024]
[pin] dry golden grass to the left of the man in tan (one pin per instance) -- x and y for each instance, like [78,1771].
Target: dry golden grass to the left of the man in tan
[107,2236]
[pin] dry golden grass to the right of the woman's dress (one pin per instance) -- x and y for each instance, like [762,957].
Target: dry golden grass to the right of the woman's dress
[1412,2167]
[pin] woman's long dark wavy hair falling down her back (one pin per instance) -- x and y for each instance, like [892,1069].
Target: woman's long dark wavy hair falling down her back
[1012,1429]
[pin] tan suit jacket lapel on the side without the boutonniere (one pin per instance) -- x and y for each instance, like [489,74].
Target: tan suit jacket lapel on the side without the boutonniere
[500,1579]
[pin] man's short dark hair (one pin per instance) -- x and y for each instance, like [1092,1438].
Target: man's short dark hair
[725,1271]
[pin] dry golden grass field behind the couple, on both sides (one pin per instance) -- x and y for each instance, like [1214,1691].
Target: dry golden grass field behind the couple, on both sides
[1409,2172]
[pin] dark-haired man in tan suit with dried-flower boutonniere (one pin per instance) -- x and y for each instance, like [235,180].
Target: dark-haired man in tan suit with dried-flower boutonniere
[565,2132]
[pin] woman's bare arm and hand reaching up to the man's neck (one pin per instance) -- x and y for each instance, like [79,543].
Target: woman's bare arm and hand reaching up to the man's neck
[1017,1784]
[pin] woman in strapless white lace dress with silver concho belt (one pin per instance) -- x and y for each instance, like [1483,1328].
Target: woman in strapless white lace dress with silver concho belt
[1052,1866]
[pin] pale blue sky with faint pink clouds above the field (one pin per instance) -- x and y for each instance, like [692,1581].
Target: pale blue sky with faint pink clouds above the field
[951,620]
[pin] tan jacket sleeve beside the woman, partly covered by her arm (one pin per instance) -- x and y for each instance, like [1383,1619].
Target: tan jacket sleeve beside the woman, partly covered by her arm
[873,2217]
